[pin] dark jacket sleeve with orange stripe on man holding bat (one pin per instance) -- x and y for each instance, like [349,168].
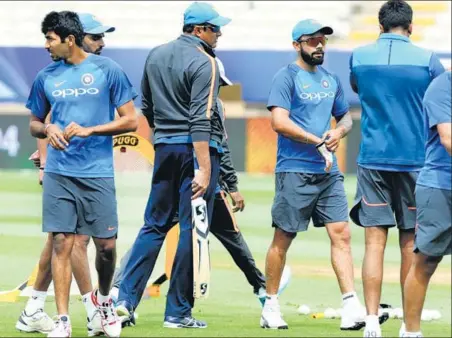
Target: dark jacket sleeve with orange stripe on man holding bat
[204,91]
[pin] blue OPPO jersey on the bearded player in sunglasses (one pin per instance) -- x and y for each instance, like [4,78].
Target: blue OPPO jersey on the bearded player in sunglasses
[311,99]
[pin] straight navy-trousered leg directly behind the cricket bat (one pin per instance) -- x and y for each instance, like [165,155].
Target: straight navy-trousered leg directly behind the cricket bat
[179,300]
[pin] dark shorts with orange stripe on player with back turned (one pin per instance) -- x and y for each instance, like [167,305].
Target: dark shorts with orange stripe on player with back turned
[385,199]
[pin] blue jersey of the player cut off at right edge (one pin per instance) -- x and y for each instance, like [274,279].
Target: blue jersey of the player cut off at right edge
[437,171]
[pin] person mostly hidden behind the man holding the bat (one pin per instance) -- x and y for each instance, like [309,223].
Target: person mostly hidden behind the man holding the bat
[223,226]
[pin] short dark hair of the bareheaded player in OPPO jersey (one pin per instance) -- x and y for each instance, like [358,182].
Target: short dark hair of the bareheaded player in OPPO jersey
[63,23]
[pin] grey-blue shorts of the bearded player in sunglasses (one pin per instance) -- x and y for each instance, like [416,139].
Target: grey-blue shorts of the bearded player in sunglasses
[301,197]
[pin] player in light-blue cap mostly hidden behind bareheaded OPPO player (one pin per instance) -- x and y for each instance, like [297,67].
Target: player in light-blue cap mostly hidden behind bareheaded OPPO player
[33,318]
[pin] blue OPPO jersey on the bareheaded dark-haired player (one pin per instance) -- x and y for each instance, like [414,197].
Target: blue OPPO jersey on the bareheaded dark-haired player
[87,94]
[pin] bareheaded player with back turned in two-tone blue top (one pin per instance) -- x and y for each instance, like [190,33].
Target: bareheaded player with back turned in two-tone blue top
[390,77]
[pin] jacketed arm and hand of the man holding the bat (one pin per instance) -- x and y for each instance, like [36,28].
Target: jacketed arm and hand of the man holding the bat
[203,94]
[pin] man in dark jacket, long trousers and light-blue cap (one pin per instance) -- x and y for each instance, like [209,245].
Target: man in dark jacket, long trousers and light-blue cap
[179,89]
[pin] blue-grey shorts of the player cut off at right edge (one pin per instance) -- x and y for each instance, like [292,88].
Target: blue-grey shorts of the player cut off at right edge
[433,228]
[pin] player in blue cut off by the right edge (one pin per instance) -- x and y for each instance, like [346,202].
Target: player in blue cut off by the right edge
[433,203]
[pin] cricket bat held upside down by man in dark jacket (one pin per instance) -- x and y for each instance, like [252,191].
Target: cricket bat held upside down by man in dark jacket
[201,256]
